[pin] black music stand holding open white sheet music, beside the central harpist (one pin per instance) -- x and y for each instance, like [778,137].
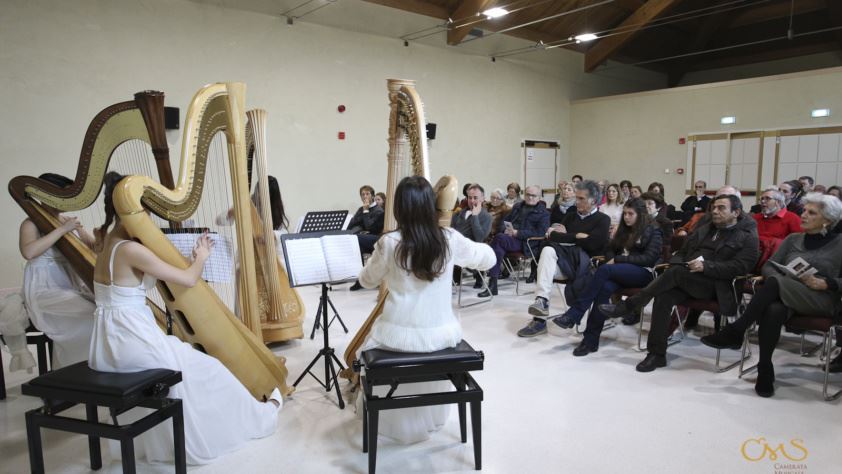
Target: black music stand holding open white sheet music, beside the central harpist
[331,379]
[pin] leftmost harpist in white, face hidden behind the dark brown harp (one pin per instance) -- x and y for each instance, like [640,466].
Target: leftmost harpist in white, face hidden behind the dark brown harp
[58,303]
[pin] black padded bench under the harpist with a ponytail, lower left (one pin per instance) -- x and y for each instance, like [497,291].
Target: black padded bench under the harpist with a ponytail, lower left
[119,392]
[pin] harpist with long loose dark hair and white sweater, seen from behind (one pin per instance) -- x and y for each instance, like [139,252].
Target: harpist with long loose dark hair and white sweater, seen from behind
[416,261]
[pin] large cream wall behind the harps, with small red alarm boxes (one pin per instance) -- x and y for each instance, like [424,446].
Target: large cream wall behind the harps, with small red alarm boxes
[62,62]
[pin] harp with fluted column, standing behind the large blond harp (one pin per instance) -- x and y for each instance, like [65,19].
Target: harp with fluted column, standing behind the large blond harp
[280,307]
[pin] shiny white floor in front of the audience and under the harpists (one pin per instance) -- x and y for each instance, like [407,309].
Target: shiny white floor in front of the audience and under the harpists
[544,410]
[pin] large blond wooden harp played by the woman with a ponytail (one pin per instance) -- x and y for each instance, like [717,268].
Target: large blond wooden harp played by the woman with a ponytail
[205,320]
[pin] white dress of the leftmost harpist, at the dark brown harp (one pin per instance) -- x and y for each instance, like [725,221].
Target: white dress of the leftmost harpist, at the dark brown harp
[60,306]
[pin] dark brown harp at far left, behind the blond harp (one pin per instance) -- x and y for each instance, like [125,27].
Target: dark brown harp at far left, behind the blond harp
[133,127]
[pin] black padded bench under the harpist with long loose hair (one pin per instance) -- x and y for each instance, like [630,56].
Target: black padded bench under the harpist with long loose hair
[394,368]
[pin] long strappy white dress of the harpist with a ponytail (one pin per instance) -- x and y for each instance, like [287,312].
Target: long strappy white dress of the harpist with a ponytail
[220,415]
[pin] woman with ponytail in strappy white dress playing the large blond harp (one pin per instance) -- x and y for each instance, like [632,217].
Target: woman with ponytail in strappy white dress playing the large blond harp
[220,414]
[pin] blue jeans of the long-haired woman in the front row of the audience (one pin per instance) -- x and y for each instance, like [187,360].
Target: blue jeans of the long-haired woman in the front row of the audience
[606,281]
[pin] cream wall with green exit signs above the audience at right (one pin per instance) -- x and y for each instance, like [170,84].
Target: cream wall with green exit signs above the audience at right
[635,136]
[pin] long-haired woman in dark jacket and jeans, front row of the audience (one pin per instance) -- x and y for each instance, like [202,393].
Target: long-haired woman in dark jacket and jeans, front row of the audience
[631,253]
